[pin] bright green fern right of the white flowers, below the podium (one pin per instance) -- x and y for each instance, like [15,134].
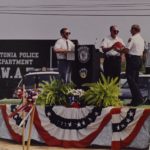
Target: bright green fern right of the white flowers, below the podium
[104,92]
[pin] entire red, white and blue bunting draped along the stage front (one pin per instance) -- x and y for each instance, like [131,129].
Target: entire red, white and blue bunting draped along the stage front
[78,127]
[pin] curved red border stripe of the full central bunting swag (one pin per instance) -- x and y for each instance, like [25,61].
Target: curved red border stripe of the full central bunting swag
[52,141]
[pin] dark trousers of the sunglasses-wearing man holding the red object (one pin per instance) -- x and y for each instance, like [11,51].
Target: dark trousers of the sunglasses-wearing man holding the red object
[112,67]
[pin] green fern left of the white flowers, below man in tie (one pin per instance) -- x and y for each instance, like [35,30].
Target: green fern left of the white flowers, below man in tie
[54,93]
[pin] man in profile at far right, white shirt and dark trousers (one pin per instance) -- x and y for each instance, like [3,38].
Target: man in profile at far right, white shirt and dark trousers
[134,52]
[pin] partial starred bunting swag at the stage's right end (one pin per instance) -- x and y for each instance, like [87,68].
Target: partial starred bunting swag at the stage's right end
[126,126]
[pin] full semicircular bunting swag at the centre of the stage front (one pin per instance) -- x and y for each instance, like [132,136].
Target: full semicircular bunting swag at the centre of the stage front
[71,127]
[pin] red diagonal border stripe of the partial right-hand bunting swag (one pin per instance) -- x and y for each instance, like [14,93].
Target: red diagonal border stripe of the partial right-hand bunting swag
[137,128]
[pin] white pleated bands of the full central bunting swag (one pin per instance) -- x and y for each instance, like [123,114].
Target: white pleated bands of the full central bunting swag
[67,134]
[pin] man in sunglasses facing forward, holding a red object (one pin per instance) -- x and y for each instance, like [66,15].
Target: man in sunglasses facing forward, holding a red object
[112,58]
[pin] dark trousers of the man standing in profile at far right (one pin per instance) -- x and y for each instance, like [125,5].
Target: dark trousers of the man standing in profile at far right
[133,65]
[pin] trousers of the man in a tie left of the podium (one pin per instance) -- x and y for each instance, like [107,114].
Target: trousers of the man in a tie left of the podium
[65,69]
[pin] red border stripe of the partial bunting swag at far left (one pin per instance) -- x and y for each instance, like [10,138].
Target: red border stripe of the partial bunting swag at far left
[14,135]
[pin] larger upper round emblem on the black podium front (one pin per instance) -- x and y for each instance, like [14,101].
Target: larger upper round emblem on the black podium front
[83,54]
